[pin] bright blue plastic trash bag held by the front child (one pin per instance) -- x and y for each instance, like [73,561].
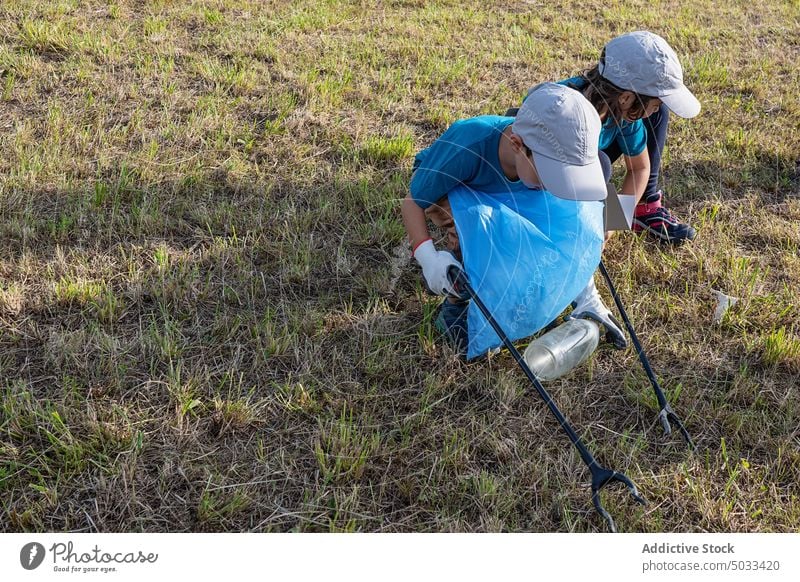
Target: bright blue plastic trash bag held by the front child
[527,254]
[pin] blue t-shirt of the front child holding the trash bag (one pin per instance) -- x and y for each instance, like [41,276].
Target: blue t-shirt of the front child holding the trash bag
[467,153]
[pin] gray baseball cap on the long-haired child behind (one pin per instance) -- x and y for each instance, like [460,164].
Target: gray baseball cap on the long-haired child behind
[644,63]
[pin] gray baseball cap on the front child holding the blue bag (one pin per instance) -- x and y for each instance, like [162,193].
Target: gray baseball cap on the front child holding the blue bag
[562,129]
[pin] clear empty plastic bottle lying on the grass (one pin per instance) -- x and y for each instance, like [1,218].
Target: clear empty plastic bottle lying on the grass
[562,349]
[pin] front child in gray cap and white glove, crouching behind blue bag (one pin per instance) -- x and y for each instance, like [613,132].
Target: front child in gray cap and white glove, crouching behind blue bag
[549,149]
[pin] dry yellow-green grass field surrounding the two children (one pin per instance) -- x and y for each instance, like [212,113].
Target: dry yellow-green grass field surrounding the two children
[209,320]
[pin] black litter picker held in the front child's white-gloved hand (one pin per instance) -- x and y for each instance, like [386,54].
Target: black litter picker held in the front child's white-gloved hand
[601,476]
